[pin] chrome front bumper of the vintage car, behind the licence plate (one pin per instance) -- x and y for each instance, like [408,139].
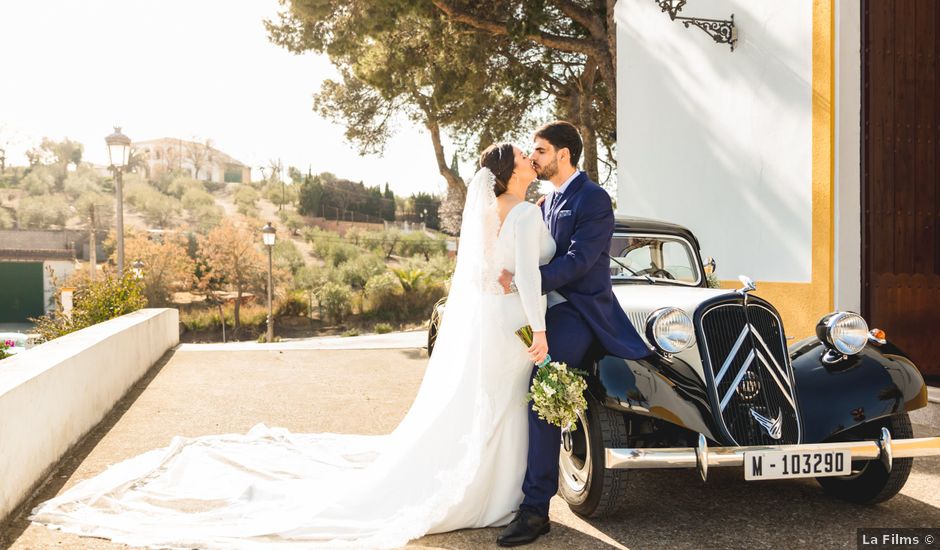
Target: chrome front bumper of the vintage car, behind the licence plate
[703,457]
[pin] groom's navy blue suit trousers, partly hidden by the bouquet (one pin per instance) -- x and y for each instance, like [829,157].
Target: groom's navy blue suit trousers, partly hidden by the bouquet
[569,340]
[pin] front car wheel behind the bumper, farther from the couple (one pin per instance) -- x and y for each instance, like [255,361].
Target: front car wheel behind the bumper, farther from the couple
[870,482]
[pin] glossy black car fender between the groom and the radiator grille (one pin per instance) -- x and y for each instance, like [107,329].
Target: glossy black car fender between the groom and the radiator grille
[668,389]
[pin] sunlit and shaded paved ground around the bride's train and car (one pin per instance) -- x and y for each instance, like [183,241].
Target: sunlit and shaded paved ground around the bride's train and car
[195,393]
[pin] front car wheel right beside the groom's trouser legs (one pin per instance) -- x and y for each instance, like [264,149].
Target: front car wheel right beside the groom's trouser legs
[589,488]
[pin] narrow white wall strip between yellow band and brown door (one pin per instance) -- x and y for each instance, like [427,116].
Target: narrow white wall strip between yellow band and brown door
[848,178]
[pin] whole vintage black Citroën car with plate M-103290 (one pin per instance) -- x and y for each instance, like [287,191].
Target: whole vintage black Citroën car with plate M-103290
[725,390]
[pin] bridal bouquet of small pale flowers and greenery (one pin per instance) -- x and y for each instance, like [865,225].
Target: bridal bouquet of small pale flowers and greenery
[557,392]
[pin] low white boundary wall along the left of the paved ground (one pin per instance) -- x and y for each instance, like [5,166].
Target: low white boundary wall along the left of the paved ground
[53,394]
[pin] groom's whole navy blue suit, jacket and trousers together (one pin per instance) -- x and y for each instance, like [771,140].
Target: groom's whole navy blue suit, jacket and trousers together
[582,223]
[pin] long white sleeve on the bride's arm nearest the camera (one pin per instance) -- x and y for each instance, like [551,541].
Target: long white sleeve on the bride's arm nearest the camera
[527,276]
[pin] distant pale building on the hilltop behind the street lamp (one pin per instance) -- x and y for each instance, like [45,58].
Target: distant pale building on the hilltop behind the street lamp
[201,161]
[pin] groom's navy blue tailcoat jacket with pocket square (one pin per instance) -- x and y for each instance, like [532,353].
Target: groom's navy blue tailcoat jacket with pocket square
[582,223]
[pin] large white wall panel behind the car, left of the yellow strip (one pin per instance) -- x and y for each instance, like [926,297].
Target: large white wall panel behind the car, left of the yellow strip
[720,141]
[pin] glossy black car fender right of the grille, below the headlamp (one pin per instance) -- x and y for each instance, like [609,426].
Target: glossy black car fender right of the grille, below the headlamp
[833,397]
